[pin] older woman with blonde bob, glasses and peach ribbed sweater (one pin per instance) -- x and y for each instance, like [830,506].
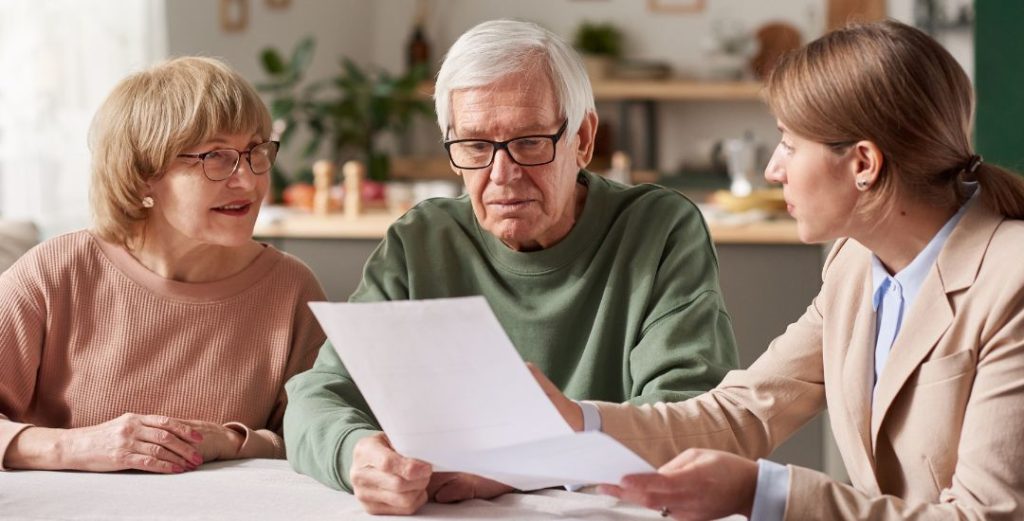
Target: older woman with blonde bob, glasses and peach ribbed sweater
[161,338]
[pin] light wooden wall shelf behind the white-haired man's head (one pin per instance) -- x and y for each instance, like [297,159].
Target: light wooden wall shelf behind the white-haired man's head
[664,91]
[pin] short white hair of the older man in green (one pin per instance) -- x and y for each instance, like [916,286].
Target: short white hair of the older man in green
[495,50]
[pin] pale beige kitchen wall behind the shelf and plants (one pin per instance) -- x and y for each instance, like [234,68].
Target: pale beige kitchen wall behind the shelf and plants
[376,32]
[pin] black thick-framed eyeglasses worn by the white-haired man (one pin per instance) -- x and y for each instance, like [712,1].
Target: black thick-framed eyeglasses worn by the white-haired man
[531,151]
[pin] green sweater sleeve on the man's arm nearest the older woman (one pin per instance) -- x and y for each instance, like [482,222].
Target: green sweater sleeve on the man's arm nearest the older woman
[327,414]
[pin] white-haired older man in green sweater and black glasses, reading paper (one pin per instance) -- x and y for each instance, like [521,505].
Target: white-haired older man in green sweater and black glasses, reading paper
[611,291]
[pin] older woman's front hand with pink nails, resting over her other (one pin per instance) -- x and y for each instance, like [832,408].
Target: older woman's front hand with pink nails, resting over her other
[146,443]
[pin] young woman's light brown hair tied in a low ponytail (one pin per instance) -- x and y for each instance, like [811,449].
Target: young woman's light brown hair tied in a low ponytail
[895,86]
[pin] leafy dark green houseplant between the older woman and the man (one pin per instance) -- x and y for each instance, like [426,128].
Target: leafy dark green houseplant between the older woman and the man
[346,115]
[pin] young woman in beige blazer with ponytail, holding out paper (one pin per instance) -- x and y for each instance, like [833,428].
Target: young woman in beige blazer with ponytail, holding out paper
[916,343]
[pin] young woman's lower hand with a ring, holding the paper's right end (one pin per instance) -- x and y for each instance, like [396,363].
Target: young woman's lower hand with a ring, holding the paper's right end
[697,485]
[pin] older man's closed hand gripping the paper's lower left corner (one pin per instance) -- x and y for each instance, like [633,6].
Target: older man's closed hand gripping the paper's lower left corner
[387,483]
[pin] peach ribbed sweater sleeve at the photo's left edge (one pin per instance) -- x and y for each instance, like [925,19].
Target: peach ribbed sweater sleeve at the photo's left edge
[23,327]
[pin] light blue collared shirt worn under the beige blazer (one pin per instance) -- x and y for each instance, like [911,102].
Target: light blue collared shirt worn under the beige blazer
[892,298]
